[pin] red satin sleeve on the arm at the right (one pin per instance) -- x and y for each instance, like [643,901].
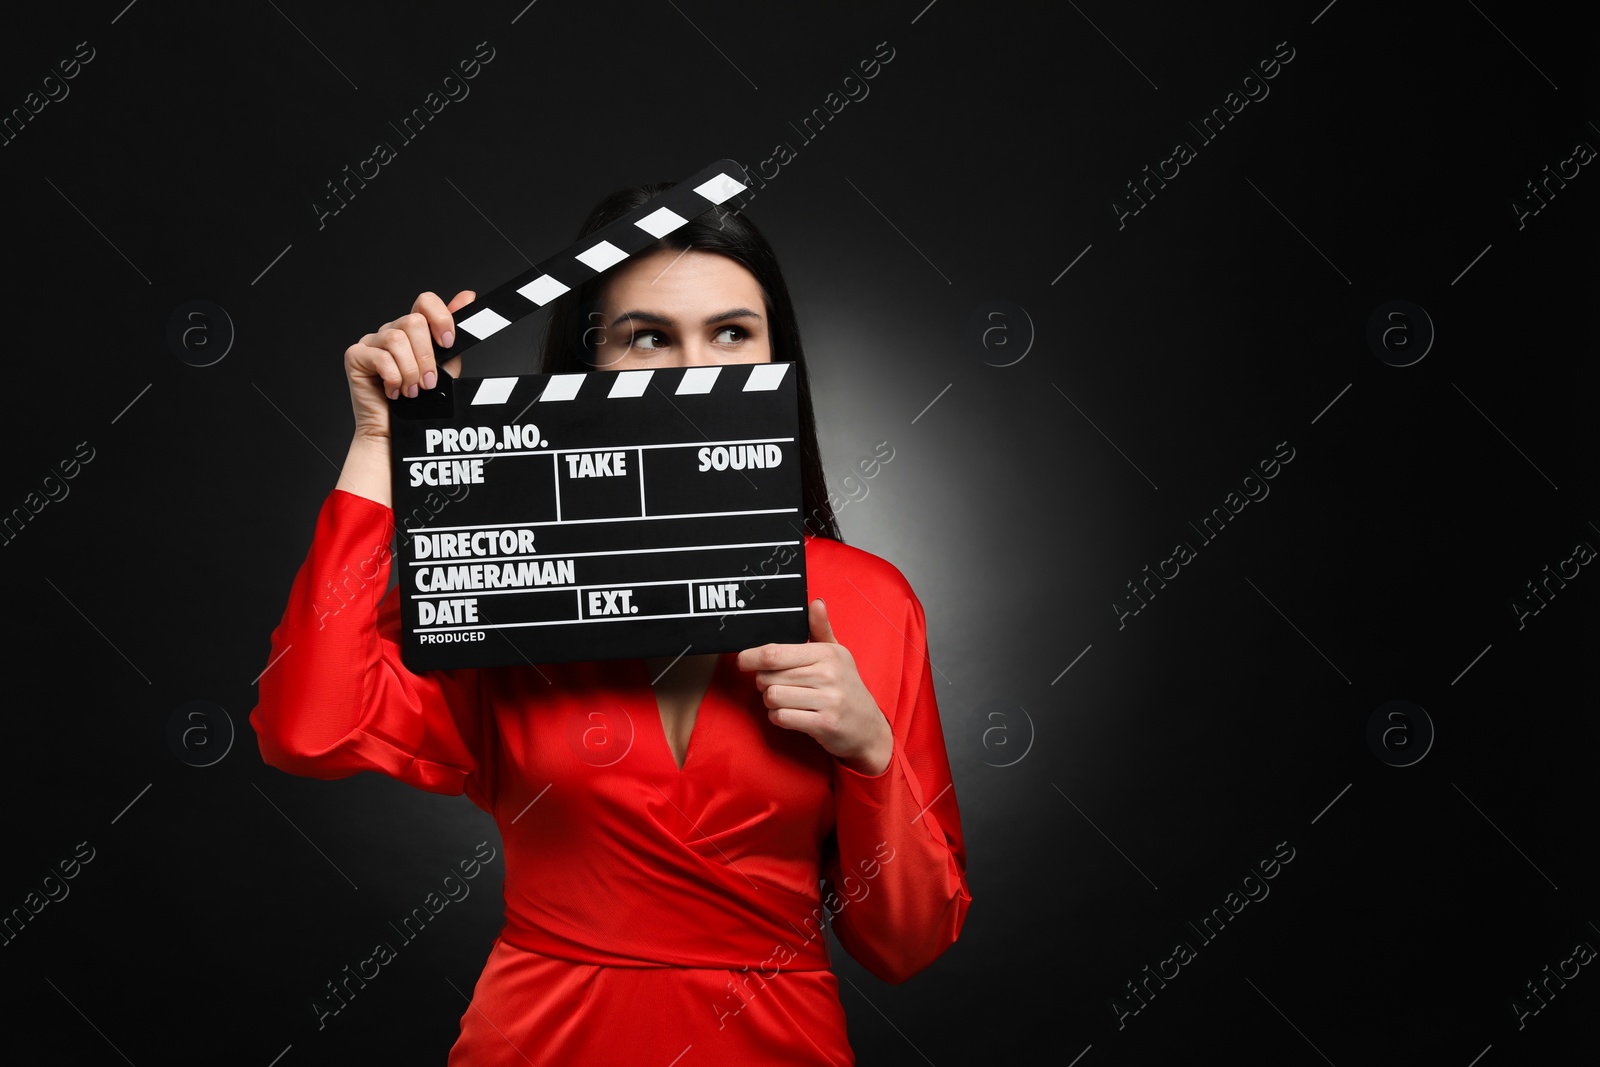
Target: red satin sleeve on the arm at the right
[897,881]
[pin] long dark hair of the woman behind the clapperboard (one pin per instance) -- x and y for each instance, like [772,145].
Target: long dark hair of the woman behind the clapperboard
[567,350]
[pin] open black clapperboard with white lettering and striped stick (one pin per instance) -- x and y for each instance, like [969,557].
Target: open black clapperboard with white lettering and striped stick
[599,516]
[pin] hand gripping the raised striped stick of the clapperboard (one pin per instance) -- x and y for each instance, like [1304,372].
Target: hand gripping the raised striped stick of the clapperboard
[398,359]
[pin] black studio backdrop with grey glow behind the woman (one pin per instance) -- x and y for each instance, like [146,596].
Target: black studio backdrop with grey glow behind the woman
[1177,353]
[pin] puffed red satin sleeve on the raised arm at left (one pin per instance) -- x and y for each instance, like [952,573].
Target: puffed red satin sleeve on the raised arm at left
[337,700]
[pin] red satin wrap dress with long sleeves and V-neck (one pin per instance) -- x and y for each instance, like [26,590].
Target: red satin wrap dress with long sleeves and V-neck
[654,916]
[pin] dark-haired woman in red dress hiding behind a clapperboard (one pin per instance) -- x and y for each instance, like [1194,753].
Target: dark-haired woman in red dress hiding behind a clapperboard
[666,823]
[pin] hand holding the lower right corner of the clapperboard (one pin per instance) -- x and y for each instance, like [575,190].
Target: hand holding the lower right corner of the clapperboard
[815,689]
